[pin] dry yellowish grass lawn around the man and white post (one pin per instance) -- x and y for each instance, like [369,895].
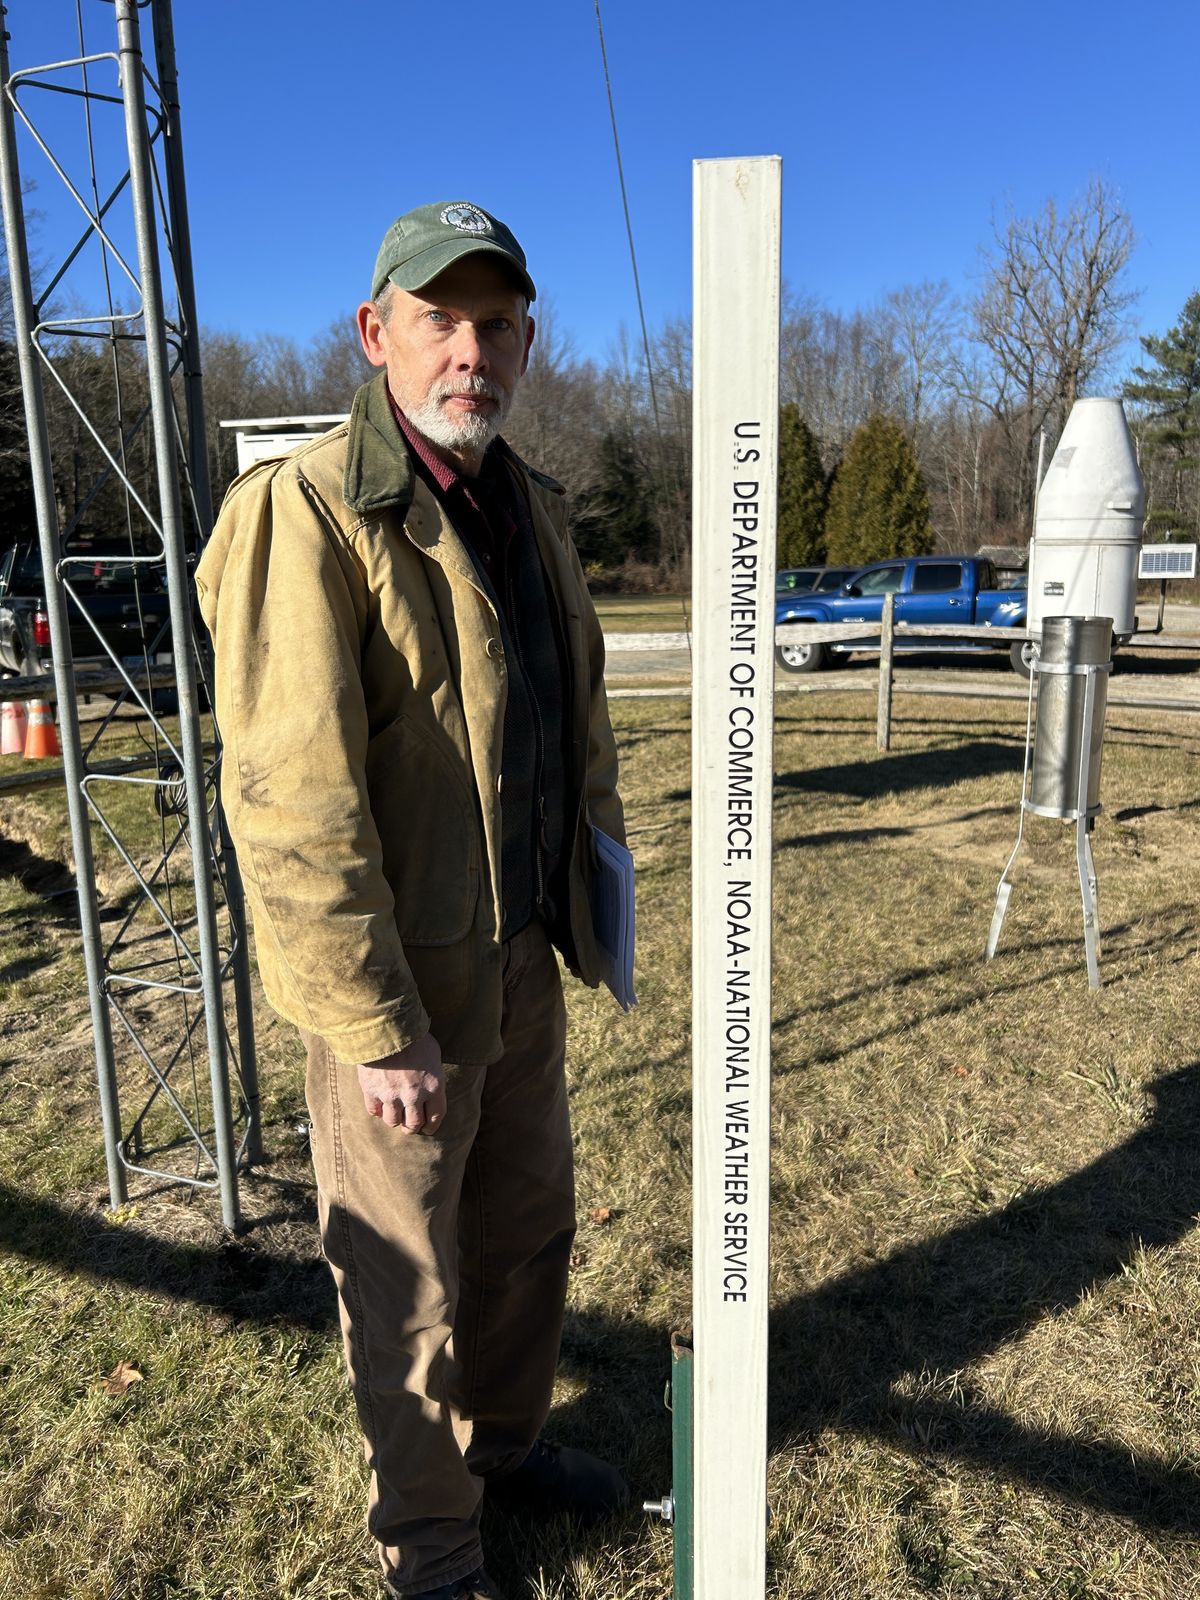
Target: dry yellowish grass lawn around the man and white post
[986,1180]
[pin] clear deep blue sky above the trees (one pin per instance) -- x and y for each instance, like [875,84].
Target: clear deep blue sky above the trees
[308,127]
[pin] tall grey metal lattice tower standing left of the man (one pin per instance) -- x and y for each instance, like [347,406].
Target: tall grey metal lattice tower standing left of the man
[164,922]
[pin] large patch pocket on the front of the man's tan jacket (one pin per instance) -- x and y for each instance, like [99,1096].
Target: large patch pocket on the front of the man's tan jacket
[426,817]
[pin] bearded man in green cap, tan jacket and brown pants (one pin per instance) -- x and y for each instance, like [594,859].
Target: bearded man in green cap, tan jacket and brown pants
[417,750]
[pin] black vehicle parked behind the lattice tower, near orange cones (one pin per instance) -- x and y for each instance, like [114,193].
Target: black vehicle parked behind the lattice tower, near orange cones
[124,599]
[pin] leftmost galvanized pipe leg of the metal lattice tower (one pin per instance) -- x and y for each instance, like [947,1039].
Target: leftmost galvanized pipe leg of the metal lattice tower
[60,630]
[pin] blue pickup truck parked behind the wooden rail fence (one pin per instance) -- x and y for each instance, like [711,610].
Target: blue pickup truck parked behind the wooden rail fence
[929,590]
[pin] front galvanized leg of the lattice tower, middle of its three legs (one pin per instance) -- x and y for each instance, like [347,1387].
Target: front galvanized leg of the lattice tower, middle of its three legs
[178,590]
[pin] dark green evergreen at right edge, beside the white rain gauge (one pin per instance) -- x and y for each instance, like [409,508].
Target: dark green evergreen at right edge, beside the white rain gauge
[1169,426]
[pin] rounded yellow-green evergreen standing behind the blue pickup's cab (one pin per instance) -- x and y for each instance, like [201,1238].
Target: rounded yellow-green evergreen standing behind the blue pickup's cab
[878,505]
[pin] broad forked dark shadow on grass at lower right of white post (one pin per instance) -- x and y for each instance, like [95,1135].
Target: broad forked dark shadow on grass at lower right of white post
[929,1310]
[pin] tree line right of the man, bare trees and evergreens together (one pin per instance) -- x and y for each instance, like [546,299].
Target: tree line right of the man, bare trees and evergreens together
[910,426]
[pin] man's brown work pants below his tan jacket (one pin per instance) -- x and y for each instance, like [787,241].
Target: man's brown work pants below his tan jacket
[450,1254]
